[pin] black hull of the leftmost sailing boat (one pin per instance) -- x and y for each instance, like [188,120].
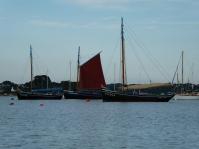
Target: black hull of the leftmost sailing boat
[32,96]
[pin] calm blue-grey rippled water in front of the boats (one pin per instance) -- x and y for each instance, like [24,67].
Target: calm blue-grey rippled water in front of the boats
[71,124]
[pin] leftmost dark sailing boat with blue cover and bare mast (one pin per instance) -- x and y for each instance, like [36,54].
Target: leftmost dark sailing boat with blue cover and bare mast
[49,94]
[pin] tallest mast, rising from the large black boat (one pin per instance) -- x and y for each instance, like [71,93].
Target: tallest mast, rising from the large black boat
[124,80]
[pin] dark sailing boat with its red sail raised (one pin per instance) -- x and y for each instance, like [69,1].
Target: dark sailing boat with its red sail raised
[90,79]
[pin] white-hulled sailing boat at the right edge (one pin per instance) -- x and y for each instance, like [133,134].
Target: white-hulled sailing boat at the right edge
[184,95]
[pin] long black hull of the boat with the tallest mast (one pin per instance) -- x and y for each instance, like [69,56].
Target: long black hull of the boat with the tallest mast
[109,96]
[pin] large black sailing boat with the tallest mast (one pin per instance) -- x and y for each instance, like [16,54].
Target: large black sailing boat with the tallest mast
[123,96]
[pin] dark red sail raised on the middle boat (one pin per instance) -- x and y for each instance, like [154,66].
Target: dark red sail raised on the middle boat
[91,74]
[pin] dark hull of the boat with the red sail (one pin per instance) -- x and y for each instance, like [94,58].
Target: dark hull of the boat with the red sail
[77,95]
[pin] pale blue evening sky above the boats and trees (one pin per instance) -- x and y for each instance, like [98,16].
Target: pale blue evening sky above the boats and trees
[156,31]
